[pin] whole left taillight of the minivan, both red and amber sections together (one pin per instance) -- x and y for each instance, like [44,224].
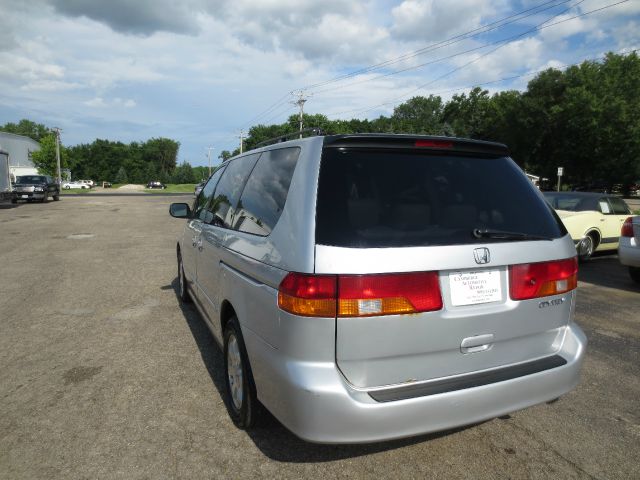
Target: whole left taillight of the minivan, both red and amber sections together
[359,295]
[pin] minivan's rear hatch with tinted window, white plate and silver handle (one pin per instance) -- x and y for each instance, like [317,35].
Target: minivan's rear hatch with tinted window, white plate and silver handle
[390,209]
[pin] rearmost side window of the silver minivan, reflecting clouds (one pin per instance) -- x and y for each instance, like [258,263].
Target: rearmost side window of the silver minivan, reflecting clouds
[265,193]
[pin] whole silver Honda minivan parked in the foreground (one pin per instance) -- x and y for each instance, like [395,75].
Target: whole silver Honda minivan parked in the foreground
[371,287]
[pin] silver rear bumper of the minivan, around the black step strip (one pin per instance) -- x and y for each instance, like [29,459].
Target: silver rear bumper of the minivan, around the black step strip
[313,400]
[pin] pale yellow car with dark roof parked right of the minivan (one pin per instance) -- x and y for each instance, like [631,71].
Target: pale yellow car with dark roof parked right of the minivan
[592,219]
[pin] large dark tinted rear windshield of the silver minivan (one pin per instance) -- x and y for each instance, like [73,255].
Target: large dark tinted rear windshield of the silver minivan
[391,199]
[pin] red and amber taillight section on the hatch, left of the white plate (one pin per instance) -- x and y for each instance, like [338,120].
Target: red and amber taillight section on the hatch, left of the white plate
[388,294]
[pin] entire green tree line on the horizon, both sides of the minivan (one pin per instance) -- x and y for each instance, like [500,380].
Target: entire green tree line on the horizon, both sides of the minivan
[585,118]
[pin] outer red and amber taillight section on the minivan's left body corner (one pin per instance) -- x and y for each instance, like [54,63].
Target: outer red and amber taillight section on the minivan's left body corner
[308,295]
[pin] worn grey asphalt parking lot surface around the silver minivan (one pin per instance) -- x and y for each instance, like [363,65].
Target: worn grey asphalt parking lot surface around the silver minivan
[104,375]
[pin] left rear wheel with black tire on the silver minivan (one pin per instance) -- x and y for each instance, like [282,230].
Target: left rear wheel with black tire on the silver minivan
[240,393]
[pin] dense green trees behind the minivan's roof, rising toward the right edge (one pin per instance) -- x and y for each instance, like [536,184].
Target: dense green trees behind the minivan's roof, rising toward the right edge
[585,119]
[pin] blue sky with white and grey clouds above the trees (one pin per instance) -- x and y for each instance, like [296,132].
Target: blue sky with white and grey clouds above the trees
[199,71]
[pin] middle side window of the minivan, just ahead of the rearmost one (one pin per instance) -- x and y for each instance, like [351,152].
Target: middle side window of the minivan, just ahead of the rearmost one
[229,189]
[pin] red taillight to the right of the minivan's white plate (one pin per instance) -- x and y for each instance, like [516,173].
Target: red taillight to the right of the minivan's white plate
[533,280]
